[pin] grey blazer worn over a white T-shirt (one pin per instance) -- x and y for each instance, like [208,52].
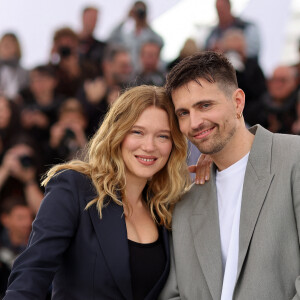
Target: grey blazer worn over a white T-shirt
[269,254]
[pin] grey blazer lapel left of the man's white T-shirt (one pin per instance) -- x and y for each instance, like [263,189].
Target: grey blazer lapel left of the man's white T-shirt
[206,234]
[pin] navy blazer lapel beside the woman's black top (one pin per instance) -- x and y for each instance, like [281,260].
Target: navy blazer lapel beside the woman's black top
[112,235]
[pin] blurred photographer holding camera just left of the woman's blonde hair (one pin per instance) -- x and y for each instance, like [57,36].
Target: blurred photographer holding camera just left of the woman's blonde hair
[67,135]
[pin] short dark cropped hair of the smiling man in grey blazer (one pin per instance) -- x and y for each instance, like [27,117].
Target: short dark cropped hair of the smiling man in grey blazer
[208,65]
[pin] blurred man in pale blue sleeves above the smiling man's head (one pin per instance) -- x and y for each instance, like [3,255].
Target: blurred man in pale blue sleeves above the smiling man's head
[228,21]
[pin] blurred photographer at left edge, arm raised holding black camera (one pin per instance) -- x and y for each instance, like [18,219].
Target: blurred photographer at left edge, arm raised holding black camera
[19,173]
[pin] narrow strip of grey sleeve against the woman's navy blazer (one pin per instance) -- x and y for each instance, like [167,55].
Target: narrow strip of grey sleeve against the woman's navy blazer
[170,290]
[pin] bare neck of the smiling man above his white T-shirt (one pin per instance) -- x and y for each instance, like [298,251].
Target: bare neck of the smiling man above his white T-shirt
[235,150]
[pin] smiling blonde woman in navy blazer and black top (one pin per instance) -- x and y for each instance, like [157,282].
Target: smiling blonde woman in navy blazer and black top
[101,232]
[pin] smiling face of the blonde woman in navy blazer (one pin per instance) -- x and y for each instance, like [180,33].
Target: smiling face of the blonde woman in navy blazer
[147,147]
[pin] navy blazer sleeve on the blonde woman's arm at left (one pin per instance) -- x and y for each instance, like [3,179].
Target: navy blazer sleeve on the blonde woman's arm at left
[52,230]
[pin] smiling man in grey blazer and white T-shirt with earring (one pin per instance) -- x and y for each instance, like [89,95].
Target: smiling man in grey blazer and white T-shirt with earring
[235,237]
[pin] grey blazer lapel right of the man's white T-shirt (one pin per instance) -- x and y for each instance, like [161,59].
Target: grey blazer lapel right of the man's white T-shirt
[258,178]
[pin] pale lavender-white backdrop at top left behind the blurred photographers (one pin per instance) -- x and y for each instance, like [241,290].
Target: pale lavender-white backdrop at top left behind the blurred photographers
[34,21]
